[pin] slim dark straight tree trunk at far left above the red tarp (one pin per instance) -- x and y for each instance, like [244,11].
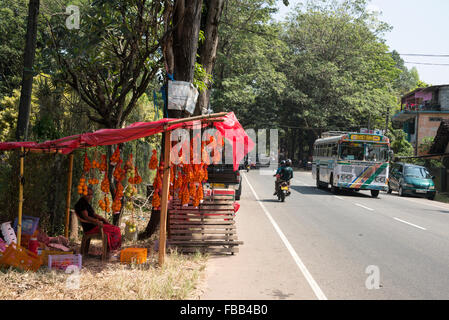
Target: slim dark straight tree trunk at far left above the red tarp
[27,76]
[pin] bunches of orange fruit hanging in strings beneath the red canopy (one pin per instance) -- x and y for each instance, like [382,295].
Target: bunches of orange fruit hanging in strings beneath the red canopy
[186,178]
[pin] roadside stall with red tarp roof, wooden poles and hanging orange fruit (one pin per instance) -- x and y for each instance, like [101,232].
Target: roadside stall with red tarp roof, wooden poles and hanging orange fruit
[181,181]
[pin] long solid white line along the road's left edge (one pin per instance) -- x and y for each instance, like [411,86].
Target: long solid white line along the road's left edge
[316,289]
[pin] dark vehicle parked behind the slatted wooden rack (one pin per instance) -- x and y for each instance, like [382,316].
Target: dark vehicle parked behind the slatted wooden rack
[224,176]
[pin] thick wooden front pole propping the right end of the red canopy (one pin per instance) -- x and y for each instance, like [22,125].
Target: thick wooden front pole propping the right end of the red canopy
[164,199]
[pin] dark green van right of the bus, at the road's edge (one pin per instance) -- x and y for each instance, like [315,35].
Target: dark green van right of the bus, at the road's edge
[409,179]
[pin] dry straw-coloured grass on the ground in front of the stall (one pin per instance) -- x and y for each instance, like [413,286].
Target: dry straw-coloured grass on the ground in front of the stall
[180,278]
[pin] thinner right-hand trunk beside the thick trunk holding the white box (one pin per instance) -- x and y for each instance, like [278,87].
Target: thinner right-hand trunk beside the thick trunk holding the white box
[208,51]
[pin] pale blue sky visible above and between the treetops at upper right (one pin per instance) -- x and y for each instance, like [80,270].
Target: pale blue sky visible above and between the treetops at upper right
[419,27]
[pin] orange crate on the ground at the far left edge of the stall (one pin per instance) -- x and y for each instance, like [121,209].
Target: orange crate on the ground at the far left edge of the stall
[20,258]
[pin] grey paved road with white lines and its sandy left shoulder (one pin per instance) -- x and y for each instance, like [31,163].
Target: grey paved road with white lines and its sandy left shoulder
[320,246]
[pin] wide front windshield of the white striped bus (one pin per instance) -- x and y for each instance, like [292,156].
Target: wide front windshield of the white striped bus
[363,152]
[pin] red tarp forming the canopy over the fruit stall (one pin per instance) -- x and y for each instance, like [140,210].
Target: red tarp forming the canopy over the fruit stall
[230,128]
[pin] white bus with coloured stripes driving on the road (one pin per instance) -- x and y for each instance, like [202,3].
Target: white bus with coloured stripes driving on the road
[355,161]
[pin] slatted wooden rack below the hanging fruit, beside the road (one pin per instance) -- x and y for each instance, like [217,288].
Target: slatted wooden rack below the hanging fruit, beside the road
[210,228]
